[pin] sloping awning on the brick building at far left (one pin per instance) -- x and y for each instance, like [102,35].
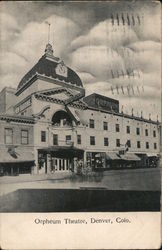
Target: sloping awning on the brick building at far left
[15,155]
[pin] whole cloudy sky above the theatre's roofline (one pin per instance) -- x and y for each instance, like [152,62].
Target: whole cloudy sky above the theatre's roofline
[115,47]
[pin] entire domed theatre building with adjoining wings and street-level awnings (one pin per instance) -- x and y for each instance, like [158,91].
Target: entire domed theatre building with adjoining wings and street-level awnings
[48,125]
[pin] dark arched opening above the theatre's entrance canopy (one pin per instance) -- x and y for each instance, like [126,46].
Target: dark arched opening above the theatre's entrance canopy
[61,118]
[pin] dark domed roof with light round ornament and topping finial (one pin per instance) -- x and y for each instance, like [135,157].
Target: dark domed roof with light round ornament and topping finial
[51,66]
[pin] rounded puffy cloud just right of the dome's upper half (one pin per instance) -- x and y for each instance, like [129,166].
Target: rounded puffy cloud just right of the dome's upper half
[97,60]
